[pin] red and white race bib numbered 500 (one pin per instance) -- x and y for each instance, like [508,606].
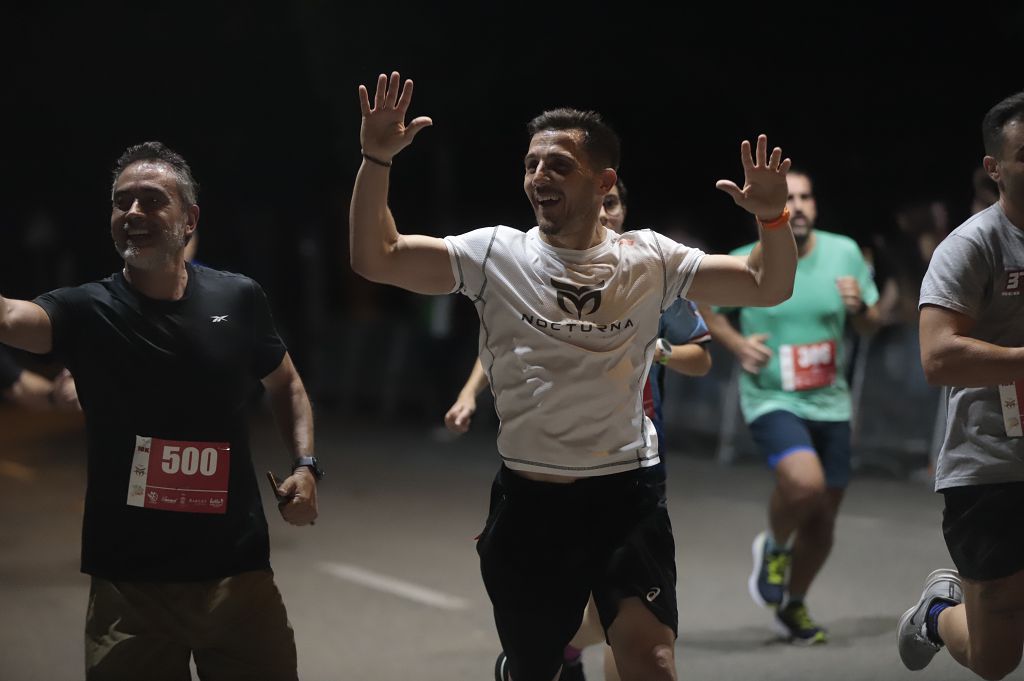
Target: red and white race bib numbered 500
[188,478]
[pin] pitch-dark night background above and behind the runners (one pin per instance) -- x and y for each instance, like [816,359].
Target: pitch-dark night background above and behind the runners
[883,107]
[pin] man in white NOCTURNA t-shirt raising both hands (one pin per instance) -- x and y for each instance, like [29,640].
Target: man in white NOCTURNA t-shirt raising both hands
[569,322]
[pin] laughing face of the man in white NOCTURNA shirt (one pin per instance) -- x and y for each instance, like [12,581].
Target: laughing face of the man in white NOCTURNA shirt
[564,190]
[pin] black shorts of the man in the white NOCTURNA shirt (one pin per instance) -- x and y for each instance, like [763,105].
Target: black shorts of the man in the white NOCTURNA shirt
[546,547]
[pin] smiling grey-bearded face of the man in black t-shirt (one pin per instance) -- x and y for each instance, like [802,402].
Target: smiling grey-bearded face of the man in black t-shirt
[150,224]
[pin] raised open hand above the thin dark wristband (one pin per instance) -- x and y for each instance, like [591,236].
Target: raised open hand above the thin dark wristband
[385,132]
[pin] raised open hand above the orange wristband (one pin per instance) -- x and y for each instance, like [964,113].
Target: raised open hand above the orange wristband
[764,193]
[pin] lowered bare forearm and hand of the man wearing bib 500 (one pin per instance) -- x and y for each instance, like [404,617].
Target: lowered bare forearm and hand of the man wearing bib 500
[294,415]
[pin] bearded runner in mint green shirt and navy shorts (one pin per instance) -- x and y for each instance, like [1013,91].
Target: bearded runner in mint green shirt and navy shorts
[796,400]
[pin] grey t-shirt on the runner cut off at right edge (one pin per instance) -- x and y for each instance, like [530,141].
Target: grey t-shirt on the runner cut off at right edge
[979,271]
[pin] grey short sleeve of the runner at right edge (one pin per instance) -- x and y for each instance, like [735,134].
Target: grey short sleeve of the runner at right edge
[958,278]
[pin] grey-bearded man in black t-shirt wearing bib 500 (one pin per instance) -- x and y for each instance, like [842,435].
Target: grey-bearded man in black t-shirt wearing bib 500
[166,357]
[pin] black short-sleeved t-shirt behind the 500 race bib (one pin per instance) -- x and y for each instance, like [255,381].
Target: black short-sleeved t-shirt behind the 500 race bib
[182,371]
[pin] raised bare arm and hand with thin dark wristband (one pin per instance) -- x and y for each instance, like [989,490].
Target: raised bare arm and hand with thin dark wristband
[378,252]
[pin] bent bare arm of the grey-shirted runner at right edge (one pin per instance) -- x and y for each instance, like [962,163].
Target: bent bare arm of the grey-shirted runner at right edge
[951,357]
